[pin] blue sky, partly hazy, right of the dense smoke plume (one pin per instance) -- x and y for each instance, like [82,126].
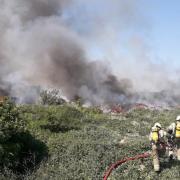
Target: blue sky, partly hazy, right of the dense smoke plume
[156,22]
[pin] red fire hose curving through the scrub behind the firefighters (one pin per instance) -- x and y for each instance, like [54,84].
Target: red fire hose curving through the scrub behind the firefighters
[115,165]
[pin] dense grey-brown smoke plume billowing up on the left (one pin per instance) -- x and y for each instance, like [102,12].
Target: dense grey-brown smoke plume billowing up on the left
[38,48]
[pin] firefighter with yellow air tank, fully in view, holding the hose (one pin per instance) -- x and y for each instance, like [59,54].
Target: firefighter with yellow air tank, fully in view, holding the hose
[157,136]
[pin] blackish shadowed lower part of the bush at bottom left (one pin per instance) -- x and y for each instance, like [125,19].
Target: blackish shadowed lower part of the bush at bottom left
[22,153]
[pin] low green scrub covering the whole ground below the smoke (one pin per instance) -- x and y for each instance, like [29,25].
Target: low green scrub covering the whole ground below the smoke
[70,142]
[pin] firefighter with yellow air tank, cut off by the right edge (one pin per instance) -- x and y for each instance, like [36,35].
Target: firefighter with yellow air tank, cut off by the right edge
[174,135]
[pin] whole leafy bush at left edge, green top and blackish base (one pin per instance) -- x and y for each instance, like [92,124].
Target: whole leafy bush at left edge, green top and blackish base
[18,148]
